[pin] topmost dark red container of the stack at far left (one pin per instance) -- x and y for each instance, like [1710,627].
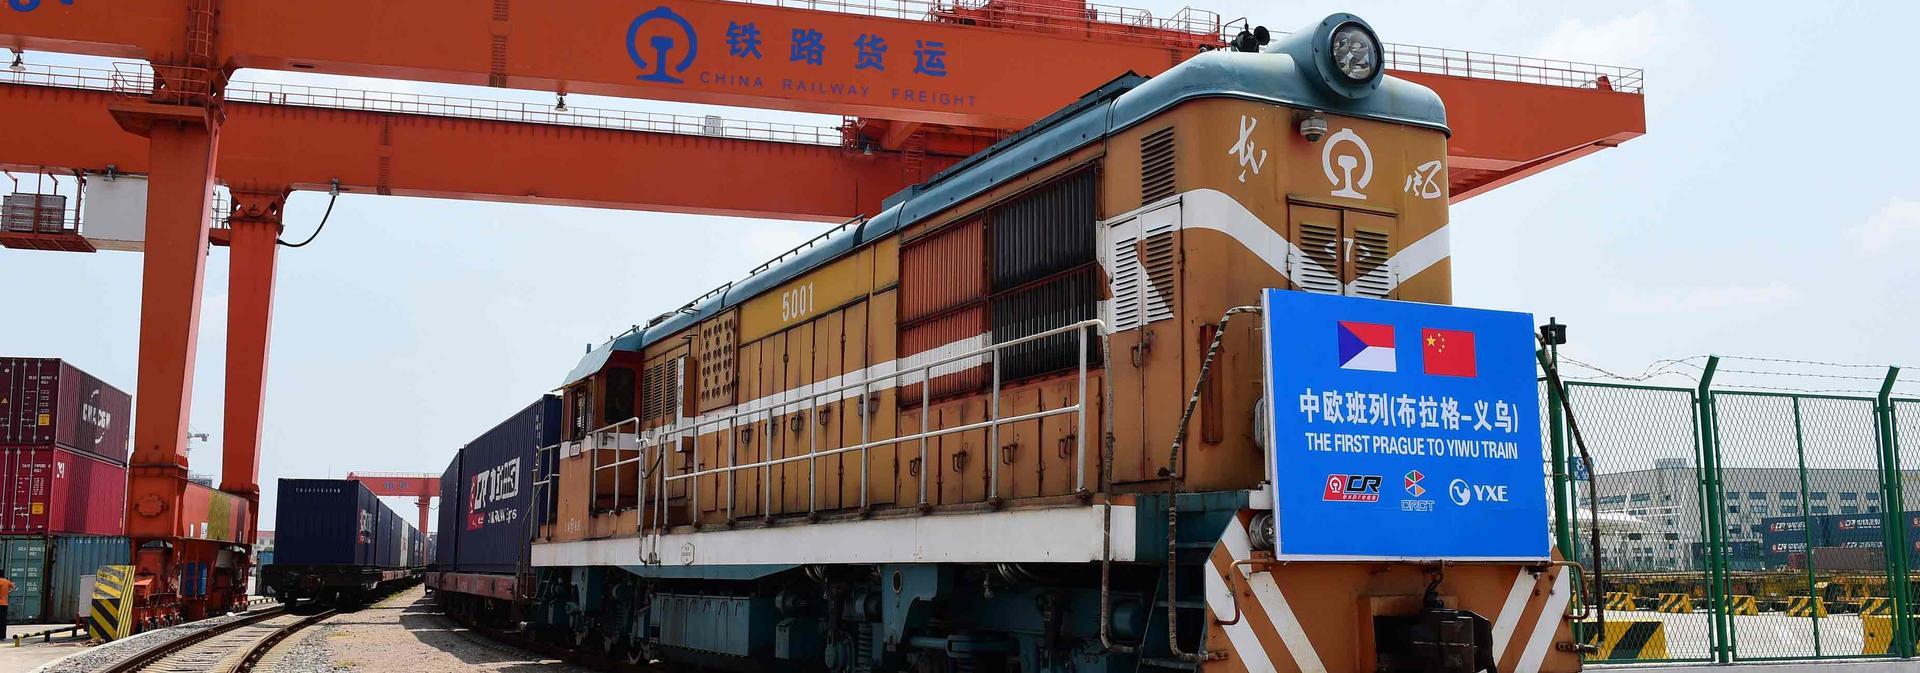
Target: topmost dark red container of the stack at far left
[51,404]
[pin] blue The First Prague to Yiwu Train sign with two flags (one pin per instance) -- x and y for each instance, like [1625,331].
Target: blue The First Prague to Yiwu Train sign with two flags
[1403,430]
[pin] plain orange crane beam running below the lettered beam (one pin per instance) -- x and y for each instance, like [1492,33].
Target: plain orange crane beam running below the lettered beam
[274,149]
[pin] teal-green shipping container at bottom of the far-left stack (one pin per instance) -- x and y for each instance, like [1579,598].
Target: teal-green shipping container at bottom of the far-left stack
[51,574]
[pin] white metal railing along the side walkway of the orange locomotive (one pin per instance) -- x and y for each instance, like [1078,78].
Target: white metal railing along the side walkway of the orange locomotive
[642,476]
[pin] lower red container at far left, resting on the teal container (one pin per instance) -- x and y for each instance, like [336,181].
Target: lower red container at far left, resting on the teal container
[47,490]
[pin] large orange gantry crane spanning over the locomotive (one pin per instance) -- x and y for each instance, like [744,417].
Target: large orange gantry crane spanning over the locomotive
[928,80]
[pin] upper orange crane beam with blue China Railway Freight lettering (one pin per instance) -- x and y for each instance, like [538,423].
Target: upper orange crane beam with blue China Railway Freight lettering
[921,62]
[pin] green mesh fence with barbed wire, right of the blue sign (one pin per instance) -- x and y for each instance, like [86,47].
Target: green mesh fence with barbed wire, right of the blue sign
[1740,526]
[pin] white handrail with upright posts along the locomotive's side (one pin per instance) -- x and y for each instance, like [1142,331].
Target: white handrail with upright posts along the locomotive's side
[650,446]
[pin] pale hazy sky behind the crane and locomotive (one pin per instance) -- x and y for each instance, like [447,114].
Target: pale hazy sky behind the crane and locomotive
[1771,210]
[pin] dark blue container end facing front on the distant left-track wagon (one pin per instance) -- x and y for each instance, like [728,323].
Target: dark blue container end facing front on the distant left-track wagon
[327,522]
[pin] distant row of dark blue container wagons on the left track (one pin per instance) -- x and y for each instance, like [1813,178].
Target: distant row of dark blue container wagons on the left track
[337,544]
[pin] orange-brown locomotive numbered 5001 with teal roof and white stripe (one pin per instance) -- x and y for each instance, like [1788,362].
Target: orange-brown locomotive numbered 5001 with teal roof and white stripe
[974,434]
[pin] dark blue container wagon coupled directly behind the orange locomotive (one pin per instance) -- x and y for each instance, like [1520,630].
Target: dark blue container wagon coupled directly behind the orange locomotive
[487,513]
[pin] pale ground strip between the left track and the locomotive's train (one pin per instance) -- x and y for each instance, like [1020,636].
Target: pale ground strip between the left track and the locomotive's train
[400,636]
